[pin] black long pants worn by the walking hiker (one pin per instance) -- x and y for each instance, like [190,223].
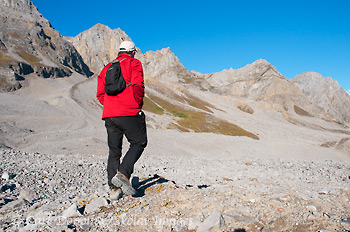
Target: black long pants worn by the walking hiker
[134,129]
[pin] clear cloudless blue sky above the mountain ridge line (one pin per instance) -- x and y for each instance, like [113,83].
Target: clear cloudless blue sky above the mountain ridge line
[209,36]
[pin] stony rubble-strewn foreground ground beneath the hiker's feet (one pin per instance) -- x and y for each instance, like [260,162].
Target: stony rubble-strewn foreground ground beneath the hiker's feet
[43,192]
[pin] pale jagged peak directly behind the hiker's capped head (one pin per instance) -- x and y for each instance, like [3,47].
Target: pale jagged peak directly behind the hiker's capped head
[98,45]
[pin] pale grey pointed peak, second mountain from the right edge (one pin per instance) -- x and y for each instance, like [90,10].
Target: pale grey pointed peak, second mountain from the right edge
[260,81]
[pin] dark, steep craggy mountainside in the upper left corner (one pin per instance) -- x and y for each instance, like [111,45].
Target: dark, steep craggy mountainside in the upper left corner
[29,44]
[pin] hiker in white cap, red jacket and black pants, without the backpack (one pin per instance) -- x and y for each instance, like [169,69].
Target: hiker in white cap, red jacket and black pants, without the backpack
[123,116]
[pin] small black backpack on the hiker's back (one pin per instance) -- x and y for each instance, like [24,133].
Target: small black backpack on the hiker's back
[114,80]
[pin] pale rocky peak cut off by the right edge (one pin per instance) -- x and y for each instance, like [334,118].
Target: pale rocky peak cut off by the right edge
[326,93]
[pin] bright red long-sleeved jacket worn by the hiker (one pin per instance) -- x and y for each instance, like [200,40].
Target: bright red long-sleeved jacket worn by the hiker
[130,101]
